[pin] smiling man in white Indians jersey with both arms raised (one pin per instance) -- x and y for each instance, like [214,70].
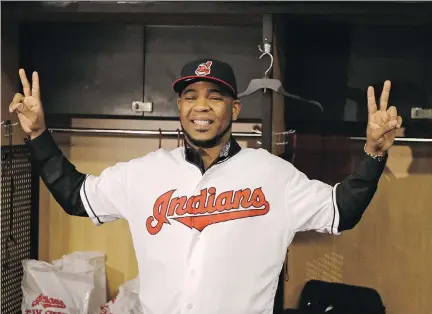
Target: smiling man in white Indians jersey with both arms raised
[210,222]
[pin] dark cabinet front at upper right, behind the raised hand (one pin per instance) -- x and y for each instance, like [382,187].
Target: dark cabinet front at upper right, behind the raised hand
[334,63]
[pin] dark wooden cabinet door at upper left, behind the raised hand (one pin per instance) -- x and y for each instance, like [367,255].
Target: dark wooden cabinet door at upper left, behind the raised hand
[86,69]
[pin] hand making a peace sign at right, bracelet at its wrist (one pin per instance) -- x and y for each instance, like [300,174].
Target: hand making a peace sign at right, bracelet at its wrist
[382,122]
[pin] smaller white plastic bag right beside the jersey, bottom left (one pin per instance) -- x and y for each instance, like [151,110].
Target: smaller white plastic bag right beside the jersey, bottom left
[126,302]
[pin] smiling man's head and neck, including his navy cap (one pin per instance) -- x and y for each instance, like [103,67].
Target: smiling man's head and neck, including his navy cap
[207,105]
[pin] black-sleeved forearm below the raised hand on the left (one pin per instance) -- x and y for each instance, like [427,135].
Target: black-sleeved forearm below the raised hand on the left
[59,175]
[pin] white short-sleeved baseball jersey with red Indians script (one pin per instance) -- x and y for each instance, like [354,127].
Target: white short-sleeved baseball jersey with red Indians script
[215,242]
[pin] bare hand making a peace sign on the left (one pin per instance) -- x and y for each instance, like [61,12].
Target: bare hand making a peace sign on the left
[29,106]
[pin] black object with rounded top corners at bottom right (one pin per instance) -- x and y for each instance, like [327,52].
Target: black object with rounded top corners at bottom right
[320,297]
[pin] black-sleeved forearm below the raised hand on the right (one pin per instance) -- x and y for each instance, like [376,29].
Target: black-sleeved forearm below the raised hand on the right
[355,193]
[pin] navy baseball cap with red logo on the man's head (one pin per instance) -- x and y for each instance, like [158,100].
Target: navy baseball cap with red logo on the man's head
[210,70]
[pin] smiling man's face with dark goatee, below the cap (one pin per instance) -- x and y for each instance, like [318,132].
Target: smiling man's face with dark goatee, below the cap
[206,112]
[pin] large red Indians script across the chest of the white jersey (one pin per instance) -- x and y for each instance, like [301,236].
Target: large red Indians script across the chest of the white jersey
[207,208]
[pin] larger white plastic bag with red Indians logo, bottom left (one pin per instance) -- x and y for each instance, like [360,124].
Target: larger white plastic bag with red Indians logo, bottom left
[70,285]
